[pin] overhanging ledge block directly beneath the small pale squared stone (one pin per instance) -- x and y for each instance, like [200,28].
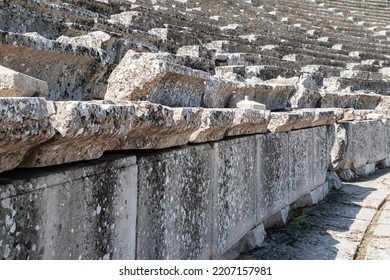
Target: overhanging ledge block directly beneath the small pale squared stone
[249,121]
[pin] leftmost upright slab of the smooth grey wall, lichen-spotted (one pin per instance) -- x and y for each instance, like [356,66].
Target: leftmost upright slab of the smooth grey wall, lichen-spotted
[83,211]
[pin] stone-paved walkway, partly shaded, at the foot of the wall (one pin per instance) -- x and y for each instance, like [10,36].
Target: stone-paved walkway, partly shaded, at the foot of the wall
[351,223]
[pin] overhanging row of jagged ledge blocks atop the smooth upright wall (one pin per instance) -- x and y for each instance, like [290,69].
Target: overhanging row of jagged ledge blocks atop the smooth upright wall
[49,133]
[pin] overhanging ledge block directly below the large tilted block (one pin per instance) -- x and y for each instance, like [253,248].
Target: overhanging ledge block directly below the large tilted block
[156,126]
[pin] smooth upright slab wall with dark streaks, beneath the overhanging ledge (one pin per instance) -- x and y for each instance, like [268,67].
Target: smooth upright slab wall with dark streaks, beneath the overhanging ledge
[193,202]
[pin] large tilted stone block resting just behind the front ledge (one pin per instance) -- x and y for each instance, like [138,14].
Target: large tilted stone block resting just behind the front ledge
[156,78]
